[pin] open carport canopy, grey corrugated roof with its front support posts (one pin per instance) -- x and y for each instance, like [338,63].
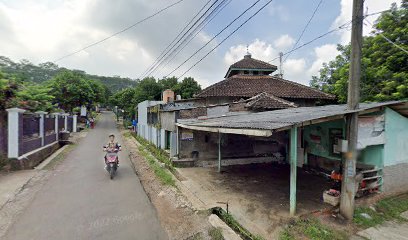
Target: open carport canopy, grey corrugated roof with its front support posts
[265,123]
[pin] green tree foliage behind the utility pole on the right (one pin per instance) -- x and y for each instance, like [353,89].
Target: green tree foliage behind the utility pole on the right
[384,67]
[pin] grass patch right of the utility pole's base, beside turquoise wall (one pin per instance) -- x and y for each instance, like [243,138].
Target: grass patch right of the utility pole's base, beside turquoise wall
[384,210]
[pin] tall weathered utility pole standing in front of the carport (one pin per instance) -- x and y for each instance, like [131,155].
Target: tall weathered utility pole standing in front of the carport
[348,186]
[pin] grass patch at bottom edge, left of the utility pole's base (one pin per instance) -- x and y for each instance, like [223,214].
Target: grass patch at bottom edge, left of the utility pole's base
[310,228]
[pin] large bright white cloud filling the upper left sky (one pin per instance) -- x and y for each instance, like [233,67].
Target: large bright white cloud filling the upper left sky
[46,30]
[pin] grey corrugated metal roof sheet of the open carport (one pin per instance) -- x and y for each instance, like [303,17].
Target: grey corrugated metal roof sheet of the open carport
[282,119]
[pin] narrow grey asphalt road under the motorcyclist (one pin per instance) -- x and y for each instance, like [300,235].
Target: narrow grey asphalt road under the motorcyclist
[79,201]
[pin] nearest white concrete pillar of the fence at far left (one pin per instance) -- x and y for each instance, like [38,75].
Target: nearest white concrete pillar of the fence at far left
[13,131]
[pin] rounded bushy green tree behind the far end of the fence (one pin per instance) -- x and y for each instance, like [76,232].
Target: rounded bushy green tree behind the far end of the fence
[71,90]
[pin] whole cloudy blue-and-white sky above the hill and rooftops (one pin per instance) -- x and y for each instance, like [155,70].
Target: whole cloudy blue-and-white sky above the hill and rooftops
[45,30]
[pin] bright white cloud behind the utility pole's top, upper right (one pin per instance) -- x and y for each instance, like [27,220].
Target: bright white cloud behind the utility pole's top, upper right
[346,13]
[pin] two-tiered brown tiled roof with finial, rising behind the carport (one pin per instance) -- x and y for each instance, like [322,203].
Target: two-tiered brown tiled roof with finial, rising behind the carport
[250,77]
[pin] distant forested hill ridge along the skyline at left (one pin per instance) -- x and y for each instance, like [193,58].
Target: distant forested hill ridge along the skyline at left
[27,71]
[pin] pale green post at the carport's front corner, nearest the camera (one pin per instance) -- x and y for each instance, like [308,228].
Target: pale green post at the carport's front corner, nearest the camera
[293,169]
